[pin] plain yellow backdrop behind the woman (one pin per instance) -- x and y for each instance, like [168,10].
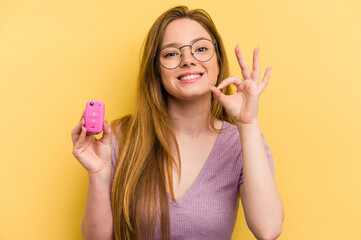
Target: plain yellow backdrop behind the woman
[56,55]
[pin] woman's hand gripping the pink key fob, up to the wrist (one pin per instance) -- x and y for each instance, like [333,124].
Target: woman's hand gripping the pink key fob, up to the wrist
[94,154]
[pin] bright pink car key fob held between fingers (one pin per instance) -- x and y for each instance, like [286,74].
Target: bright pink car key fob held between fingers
[94,116]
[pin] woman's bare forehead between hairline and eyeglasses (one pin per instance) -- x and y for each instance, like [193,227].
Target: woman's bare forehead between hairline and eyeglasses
[183,31]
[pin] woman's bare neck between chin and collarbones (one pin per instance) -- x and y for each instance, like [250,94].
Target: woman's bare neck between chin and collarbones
[190,117]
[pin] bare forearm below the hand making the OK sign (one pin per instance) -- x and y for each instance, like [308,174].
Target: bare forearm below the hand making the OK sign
[261,201]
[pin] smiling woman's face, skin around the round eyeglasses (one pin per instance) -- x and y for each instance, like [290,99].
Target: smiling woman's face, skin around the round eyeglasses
[191,79]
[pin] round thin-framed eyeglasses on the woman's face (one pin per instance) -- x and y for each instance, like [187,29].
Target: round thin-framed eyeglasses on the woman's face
[202,50]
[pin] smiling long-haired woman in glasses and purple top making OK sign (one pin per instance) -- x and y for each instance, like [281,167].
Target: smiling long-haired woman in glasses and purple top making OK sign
[177,165]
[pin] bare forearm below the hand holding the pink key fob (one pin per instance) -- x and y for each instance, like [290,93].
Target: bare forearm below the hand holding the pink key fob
[97,221]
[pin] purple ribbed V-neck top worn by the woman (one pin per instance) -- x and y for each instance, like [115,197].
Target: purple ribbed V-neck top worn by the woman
[208,210]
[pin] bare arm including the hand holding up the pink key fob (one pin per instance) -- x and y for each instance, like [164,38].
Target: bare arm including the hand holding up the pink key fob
[95,156]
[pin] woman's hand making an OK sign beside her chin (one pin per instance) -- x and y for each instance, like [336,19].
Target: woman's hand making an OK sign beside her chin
[242,106]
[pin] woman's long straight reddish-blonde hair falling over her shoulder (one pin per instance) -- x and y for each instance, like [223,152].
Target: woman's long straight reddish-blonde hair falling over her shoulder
[139,195]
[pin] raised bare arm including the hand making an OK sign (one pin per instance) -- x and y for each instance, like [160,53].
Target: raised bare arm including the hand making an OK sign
[262,203]
